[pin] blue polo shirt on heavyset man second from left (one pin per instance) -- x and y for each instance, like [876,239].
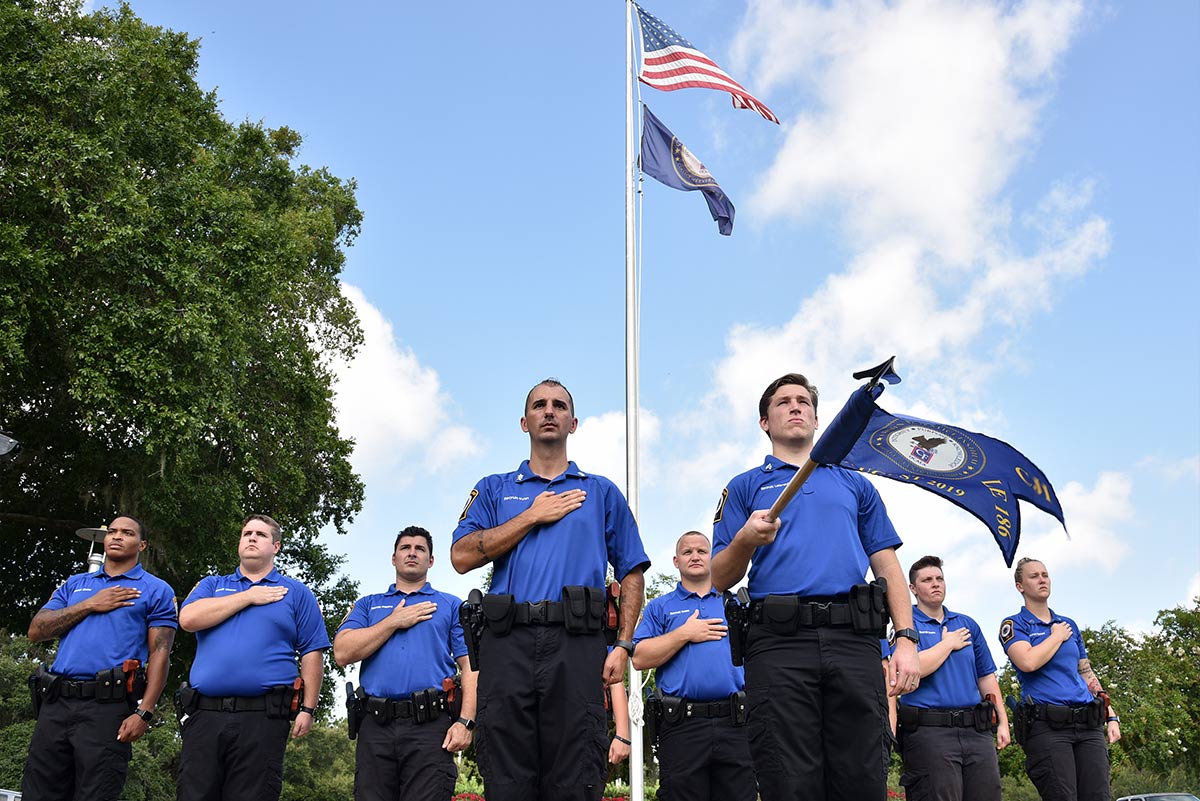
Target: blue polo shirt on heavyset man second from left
[255,649]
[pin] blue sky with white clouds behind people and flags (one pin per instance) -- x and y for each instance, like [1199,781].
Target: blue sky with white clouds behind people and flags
[1005,196]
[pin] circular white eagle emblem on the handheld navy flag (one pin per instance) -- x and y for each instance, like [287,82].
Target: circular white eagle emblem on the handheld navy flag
[929,449]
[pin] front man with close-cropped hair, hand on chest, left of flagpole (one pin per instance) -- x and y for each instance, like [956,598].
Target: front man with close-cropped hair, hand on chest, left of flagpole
[551,531]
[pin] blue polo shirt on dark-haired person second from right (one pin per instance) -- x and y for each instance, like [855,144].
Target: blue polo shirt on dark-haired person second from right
[957,683]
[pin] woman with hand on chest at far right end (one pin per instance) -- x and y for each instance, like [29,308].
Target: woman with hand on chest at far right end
[1065,748]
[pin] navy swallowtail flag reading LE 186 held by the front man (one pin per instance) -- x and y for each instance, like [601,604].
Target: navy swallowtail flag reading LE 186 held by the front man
[983,475]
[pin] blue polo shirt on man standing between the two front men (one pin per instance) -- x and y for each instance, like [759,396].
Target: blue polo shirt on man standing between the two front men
[699,671]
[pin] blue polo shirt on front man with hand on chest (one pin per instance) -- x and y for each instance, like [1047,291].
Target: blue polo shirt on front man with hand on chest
[569,552]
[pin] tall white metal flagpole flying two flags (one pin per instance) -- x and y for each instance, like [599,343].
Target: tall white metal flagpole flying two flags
[637,776]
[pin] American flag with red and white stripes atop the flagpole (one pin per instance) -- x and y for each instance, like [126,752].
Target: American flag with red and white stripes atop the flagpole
[670,63]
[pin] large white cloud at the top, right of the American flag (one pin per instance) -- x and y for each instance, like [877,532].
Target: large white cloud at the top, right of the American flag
[919,113]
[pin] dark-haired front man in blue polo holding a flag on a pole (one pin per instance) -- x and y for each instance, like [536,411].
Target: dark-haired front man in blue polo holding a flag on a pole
[818,703]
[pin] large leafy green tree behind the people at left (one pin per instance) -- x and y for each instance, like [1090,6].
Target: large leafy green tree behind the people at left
[170,302]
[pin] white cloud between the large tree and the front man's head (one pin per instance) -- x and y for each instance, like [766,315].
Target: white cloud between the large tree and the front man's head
[394,407]
